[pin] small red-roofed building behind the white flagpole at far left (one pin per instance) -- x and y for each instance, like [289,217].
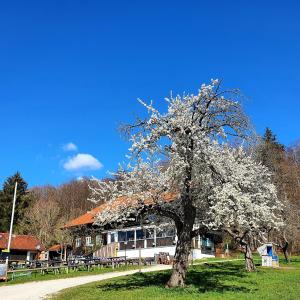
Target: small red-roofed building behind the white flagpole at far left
[23,247]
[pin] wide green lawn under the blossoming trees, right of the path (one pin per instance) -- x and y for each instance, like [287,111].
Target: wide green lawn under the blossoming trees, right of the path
[226,280]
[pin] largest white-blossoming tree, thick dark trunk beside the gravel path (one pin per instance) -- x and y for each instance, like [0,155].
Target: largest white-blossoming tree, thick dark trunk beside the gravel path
[191,137]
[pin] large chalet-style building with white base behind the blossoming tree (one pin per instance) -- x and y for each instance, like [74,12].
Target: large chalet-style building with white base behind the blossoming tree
[90,239]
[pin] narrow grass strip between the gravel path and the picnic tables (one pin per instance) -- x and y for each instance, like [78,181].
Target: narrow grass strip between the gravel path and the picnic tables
[51,275]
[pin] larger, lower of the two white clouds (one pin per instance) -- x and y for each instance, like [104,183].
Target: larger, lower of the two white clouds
[82,161]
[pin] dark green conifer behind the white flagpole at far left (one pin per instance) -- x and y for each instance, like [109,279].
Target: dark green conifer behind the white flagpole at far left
[6,198]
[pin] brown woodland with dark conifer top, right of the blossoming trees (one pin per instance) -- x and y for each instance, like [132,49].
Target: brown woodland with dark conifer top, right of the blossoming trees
[285,168]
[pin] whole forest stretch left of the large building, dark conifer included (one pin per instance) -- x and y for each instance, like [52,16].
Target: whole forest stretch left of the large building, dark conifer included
[43,210]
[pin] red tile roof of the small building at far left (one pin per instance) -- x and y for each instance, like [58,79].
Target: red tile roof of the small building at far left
[21,242]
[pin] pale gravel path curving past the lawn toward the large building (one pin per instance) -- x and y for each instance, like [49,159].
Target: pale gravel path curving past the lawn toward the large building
[40,289]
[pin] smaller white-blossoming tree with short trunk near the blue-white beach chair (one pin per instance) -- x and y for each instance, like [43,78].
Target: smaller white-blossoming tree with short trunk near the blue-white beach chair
[245,204]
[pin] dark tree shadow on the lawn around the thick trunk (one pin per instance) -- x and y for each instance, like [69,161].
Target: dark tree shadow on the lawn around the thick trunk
[207,278]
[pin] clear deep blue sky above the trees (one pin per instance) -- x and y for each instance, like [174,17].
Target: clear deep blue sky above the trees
[71,71]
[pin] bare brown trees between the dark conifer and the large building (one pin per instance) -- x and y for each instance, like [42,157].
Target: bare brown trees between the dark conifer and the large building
[51,208]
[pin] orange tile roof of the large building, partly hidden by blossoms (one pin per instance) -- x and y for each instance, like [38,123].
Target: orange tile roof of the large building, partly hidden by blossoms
[89,217]
